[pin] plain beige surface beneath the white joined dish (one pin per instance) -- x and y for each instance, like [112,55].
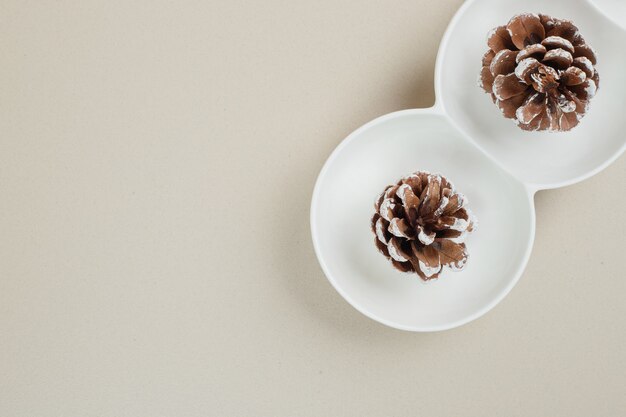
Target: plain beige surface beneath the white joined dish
[156,166]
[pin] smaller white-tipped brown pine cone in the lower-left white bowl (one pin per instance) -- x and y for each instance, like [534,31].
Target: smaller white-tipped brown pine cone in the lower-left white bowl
[421,223]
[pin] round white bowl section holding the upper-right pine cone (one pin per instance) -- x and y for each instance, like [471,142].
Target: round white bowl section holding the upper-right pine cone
[540,159]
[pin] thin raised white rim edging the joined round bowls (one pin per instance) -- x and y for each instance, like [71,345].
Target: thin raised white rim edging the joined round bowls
[439,110]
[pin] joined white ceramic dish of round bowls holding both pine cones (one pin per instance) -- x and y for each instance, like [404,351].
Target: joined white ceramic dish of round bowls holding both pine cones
[495,164]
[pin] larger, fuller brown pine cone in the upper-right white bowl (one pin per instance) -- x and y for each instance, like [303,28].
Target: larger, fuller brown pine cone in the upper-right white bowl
[540,72]
